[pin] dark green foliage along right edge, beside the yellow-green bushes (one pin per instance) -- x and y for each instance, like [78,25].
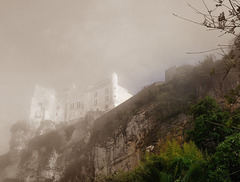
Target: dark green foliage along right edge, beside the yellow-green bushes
[213,130]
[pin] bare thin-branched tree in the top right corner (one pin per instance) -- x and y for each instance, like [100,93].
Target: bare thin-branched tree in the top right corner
[223,15]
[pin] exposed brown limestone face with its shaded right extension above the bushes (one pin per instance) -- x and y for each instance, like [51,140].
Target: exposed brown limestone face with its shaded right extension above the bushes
[124,150]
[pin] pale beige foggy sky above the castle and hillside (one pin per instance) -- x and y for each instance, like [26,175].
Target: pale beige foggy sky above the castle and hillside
[54,43]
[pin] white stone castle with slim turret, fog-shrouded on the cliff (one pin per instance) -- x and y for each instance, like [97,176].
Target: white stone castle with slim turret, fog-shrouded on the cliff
[71,104]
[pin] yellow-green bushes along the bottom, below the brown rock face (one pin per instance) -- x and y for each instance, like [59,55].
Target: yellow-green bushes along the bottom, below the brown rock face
[176,164]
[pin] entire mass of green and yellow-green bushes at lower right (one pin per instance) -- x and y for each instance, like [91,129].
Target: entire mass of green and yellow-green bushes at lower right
[214,157]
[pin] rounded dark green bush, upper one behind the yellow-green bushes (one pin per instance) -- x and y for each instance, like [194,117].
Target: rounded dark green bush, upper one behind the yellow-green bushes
[211,124]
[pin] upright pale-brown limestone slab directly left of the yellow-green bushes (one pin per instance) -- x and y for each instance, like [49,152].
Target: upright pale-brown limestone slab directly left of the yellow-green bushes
[122,151]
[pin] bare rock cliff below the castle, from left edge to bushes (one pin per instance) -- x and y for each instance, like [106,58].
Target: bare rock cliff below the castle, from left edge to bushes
[80,153]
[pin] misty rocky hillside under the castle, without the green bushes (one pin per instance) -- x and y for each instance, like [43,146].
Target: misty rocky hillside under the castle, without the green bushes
[117,140]
